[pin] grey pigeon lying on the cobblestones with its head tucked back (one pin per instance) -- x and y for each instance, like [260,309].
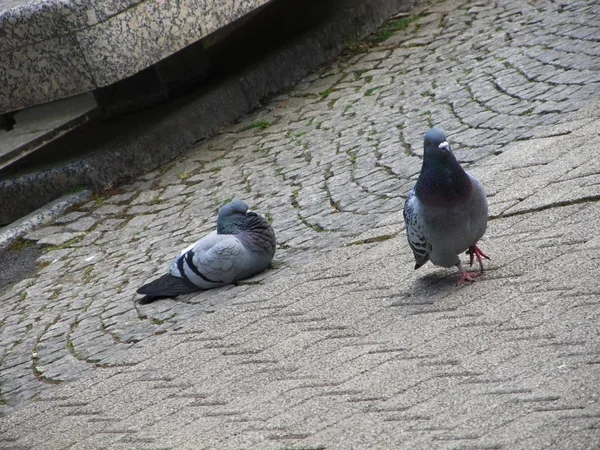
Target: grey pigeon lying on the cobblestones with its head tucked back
[242,246]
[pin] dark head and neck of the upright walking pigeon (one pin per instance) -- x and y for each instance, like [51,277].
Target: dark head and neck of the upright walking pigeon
[442,180]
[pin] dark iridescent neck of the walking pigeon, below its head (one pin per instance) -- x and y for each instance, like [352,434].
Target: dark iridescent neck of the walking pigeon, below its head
[443,183]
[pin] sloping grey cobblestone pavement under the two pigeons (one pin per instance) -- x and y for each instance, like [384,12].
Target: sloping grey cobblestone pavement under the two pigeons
[342,344]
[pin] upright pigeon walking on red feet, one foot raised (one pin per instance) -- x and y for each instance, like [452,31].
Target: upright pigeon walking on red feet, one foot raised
[446,211]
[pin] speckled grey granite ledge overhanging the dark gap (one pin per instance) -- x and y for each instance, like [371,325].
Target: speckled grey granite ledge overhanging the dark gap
[59,48]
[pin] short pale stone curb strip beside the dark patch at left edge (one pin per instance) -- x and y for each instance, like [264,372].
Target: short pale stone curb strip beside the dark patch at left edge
[40,217]
